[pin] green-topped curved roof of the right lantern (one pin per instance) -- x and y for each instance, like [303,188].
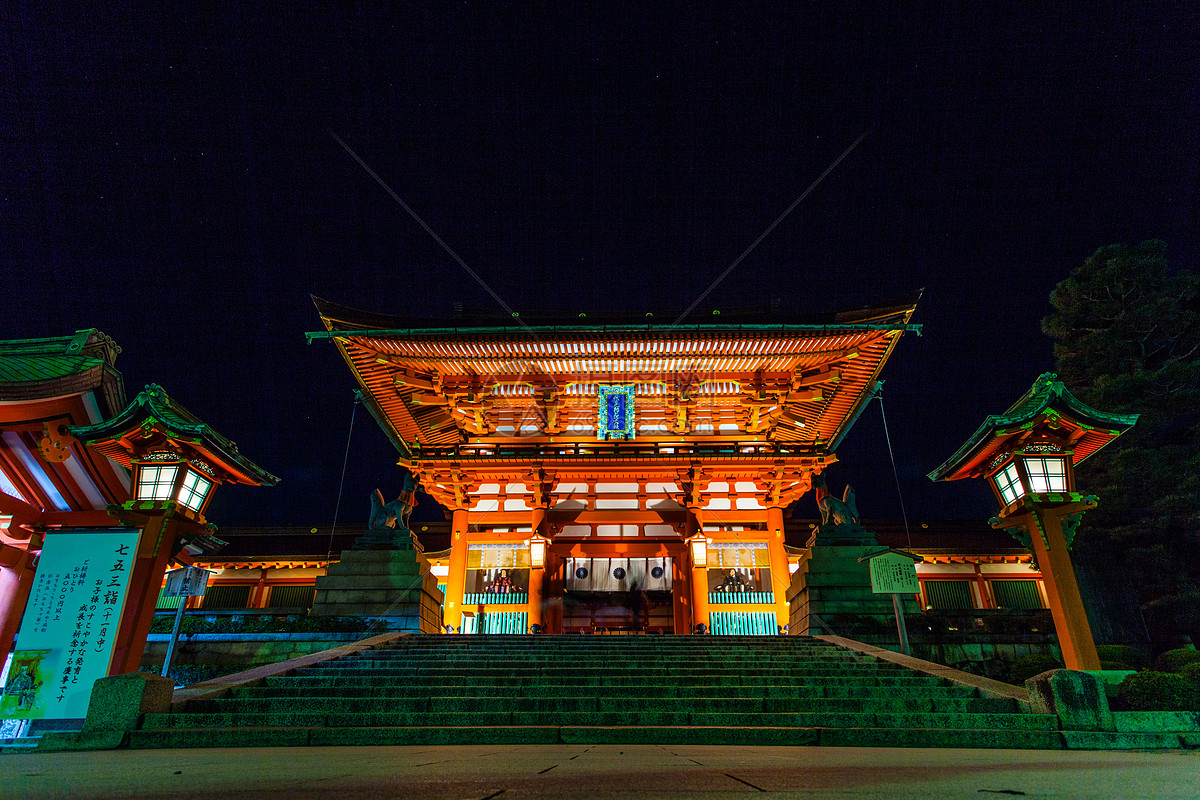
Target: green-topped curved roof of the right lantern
[1048,417]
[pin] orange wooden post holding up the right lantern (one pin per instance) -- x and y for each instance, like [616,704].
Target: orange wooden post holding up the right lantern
[1059,576]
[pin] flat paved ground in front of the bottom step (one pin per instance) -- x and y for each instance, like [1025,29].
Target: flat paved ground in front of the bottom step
[507,773]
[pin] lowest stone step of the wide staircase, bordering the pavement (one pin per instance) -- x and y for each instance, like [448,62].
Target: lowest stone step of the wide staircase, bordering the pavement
[293,737]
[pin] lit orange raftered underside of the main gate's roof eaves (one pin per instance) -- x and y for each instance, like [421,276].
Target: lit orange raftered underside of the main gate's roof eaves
[579,366]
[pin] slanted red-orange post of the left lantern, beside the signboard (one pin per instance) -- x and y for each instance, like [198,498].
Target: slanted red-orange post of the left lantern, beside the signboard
[155,548]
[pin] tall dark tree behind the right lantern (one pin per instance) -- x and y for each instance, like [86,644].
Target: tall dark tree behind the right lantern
[1127,339]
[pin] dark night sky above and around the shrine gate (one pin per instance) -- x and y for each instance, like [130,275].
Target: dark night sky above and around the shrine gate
[169,178]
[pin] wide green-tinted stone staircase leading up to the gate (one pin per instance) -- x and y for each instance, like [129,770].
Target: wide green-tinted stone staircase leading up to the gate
[470,690]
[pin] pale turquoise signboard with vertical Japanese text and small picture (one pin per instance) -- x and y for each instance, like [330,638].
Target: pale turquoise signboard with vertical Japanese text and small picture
[70,625]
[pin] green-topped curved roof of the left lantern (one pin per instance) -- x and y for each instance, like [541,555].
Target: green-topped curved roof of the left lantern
[155,423]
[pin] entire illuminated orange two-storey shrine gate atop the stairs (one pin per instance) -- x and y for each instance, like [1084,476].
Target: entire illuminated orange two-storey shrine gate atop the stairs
[589,442]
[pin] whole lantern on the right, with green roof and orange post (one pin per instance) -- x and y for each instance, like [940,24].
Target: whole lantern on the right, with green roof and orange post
[1028,456]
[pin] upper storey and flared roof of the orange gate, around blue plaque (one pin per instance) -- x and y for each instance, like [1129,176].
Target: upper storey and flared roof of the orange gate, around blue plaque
[765,402]
